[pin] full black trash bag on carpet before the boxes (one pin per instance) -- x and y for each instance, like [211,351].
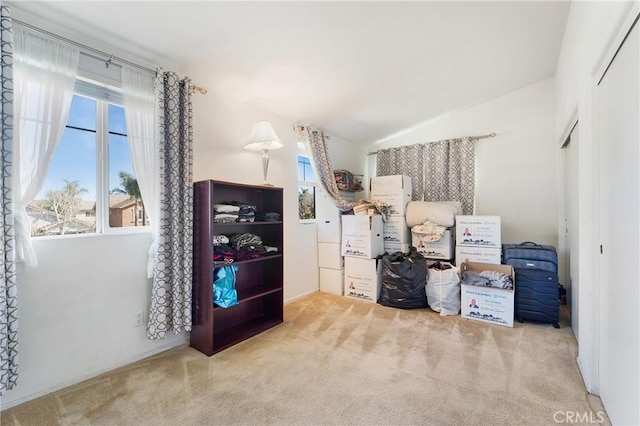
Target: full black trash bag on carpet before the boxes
[403,277]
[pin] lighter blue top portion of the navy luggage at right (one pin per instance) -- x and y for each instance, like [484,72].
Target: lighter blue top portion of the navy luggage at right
[530,255]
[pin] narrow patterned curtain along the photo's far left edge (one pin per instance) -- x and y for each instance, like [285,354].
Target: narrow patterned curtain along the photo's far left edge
[8,300]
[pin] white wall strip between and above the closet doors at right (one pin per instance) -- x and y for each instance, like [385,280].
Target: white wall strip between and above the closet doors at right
[590,31]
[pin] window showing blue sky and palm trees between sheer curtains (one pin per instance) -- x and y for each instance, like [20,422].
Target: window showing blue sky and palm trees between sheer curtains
[90,185]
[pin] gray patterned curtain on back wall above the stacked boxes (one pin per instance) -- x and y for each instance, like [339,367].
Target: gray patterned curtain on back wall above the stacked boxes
[439,171]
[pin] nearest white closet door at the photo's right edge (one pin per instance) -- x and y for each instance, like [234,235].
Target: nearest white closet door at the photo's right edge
[618,138]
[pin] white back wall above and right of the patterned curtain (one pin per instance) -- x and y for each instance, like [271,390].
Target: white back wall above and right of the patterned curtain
[516,171]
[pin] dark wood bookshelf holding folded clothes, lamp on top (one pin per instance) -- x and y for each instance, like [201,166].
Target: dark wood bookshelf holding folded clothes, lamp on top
[259,281]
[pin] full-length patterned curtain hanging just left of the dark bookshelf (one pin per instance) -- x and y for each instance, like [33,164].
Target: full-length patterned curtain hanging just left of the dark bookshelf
[171,291]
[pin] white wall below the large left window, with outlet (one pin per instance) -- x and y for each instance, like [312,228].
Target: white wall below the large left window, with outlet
[76,312]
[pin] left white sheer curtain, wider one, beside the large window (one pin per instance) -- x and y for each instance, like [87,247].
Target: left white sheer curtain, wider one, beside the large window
[44,76]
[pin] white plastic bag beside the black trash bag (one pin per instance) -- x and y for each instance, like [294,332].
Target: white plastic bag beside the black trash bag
[443,290]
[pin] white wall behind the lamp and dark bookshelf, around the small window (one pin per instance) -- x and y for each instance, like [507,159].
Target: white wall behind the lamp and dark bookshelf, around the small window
[221,128]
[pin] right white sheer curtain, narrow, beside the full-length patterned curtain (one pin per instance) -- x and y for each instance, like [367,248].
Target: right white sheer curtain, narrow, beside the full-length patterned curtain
[140,115]
